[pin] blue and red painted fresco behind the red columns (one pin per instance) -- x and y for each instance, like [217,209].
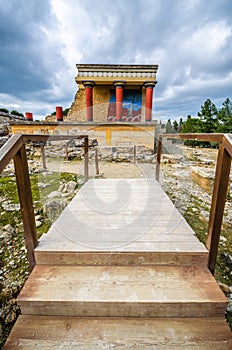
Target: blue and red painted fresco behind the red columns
[131,107]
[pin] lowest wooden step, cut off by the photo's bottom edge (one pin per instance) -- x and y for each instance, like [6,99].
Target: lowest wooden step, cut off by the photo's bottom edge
[59,332]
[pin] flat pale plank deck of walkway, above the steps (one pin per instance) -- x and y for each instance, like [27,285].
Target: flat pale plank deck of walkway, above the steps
[97,220]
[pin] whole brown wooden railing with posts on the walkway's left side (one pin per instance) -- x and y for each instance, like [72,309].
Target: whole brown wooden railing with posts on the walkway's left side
[15,149]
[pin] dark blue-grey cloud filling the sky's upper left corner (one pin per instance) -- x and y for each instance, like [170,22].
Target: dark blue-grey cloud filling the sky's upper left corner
[29,58]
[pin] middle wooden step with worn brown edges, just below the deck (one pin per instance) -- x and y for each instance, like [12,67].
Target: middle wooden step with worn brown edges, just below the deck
[121,291]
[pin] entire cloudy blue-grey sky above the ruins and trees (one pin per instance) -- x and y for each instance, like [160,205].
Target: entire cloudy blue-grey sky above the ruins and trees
[42,40]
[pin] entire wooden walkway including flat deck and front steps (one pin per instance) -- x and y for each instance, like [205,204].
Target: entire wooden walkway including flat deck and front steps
[121,269]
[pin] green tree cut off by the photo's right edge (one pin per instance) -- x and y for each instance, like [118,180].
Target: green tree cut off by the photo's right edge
[225,117]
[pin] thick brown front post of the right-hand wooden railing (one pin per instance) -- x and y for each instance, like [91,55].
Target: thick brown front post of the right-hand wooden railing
[218,203]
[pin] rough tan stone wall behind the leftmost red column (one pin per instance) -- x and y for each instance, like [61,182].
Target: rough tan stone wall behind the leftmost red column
[101,96]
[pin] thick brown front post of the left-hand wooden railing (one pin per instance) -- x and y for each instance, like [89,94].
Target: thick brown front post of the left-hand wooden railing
[26,203]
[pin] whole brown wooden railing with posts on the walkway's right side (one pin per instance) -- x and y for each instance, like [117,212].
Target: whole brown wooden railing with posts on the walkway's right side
[220,189]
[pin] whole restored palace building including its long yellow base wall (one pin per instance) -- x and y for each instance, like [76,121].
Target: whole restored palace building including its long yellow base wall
[113,103]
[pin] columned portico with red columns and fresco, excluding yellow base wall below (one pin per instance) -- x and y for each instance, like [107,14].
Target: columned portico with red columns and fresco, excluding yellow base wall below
[113,93]
